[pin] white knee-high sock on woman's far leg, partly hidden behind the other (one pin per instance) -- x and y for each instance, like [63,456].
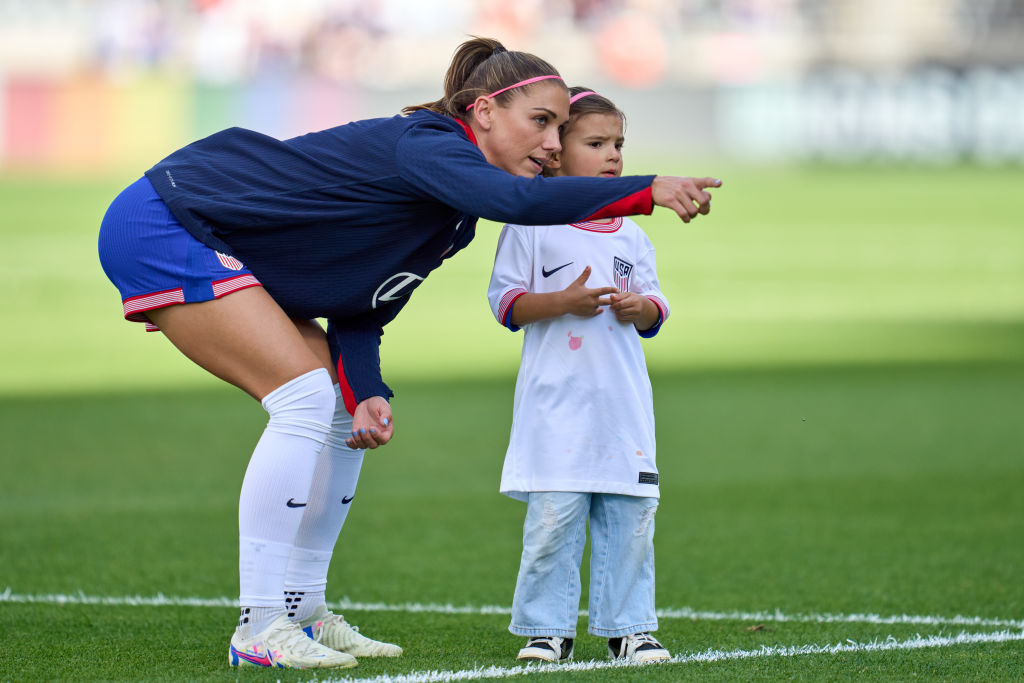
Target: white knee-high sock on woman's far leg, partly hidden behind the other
[330,500]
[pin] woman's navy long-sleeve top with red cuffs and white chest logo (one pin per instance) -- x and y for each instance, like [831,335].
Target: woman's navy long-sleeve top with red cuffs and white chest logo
[346,223]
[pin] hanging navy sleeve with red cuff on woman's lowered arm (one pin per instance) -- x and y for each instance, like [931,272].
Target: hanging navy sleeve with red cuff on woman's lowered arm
[355,348]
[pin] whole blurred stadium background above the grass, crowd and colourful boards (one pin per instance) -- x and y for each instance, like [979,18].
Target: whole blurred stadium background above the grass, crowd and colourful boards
[94,86]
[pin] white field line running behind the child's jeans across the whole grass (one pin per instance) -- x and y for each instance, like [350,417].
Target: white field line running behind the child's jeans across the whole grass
[161,601]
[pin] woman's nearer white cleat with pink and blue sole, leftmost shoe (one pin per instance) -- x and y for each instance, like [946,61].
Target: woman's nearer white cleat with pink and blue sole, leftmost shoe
[283,645]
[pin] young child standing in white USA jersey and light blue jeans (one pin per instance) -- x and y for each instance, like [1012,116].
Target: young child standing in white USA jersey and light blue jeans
[583,428]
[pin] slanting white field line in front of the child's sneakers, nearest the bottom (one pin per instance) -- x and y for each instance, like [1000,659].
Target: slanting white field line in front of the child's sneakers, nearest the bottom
[710,656]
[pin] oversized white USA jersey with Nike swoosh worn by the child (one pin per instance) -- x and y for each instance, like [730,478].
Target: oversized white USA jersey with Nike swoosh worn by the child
[583,418]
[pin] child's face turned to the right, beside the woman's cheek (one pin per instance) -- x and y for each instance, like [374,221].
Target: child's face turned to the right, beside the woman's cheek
[593,146]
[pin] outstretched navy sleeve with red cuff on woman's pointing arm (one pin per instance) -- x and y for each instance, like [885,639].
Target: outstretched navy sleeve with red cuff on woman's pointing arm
[444,164]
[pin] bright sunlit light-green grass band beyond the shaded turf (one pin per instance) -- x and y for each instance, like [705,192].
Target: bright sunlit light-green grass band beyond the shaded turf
[826,278]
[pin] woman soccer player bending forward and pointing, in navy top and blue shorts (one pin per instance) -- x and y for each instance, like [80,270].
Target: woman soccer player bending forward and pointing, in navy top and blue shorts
[232,245]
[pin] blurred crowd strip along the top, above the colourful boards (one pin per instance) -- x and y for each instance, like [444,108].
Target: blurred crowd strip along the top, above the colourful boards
[399,44]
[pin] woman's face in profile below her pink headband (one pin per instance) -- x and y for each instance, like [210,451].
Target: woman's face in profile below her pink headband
[522,138]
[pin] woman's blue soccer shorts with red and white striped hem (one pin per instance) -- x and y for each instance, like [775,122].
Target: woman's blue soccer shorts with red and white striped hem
[155,263]
